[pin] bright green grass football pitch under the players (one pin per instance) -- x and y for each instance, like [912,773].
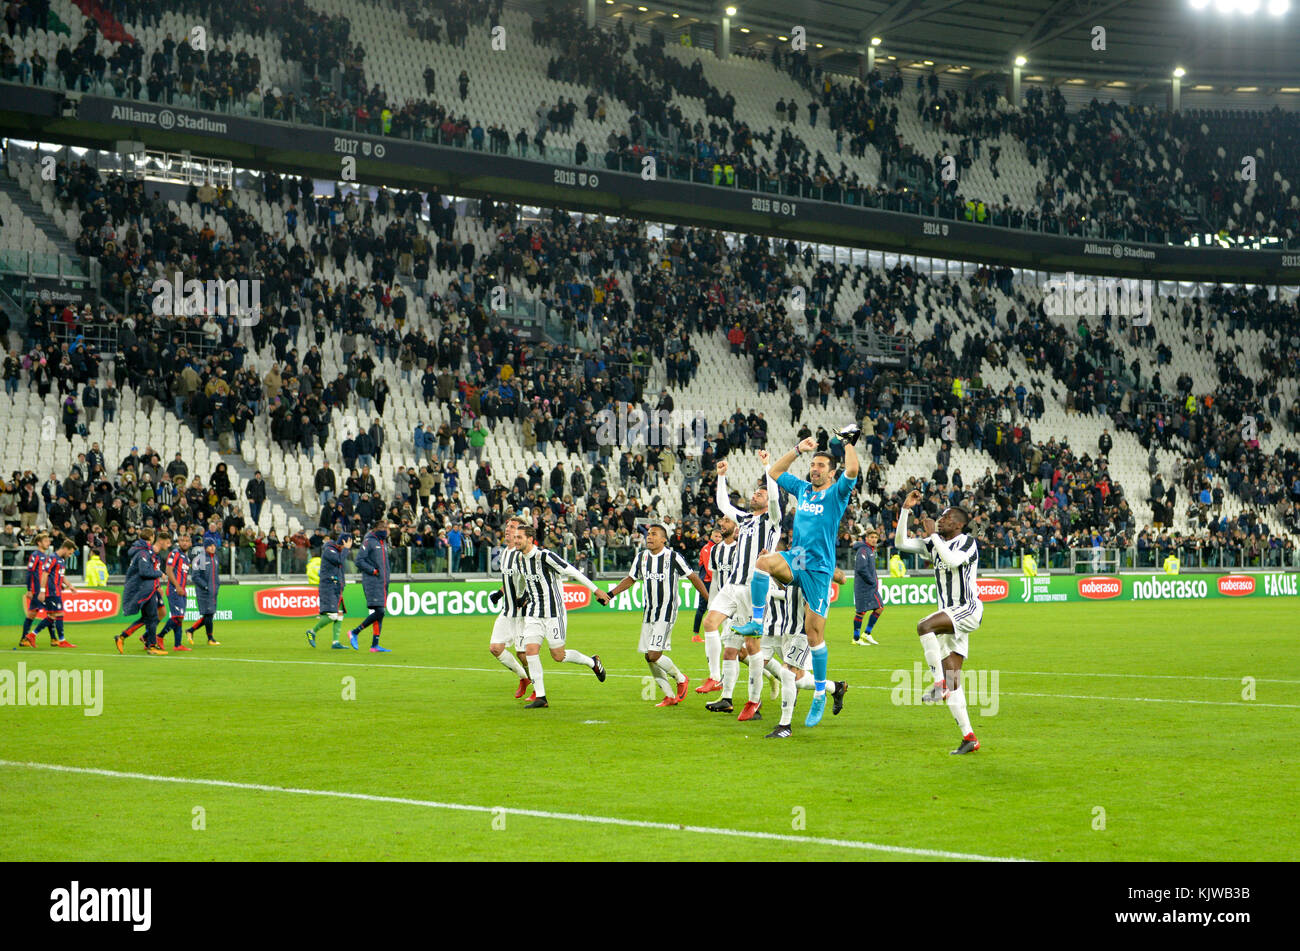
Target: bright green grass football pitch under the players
[1132,709]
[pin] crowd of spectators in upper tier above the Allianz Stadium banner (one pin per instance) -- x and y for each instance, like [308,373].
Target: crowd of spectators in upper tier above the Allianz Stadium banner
[1106,170]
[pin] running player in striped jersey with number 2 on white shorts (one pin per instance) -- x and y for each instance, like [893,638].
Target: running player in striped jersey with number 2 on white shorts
[545,616]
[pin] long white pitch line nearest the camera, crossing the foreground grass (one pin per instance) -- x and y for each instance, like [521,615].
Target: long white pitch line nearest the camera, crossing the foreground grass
[534,814]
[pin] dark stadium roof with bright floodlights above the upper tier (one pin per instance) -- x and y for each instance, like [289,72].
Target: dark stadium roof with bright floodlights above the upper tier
[1145,40]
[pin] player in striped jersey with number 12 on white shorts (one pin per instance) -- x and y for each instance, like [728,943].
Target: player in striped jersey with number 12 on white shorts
[660,568]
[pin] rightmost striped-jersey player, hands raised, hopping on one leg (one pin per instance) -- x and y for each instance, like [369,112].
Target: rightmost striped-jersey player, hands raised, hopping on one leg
[946,635]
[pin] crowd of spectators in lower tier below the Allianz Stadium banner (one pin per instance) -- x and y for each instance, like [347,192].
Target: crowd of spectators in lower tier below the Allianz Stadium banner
[629,302]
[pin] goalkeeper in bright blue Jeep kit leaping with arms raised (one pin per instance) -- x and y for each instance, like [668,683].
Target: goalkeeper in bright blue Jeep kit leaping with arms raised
[809,562]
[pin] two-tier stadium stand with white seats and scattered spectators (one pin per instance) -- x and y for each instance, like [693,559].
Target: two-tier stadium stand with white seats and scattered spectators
[376,319]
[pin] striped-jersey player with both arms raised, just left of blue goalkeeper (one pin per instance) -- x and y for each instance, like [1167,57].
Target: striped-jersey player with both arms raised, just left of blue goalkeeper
[757,532]
